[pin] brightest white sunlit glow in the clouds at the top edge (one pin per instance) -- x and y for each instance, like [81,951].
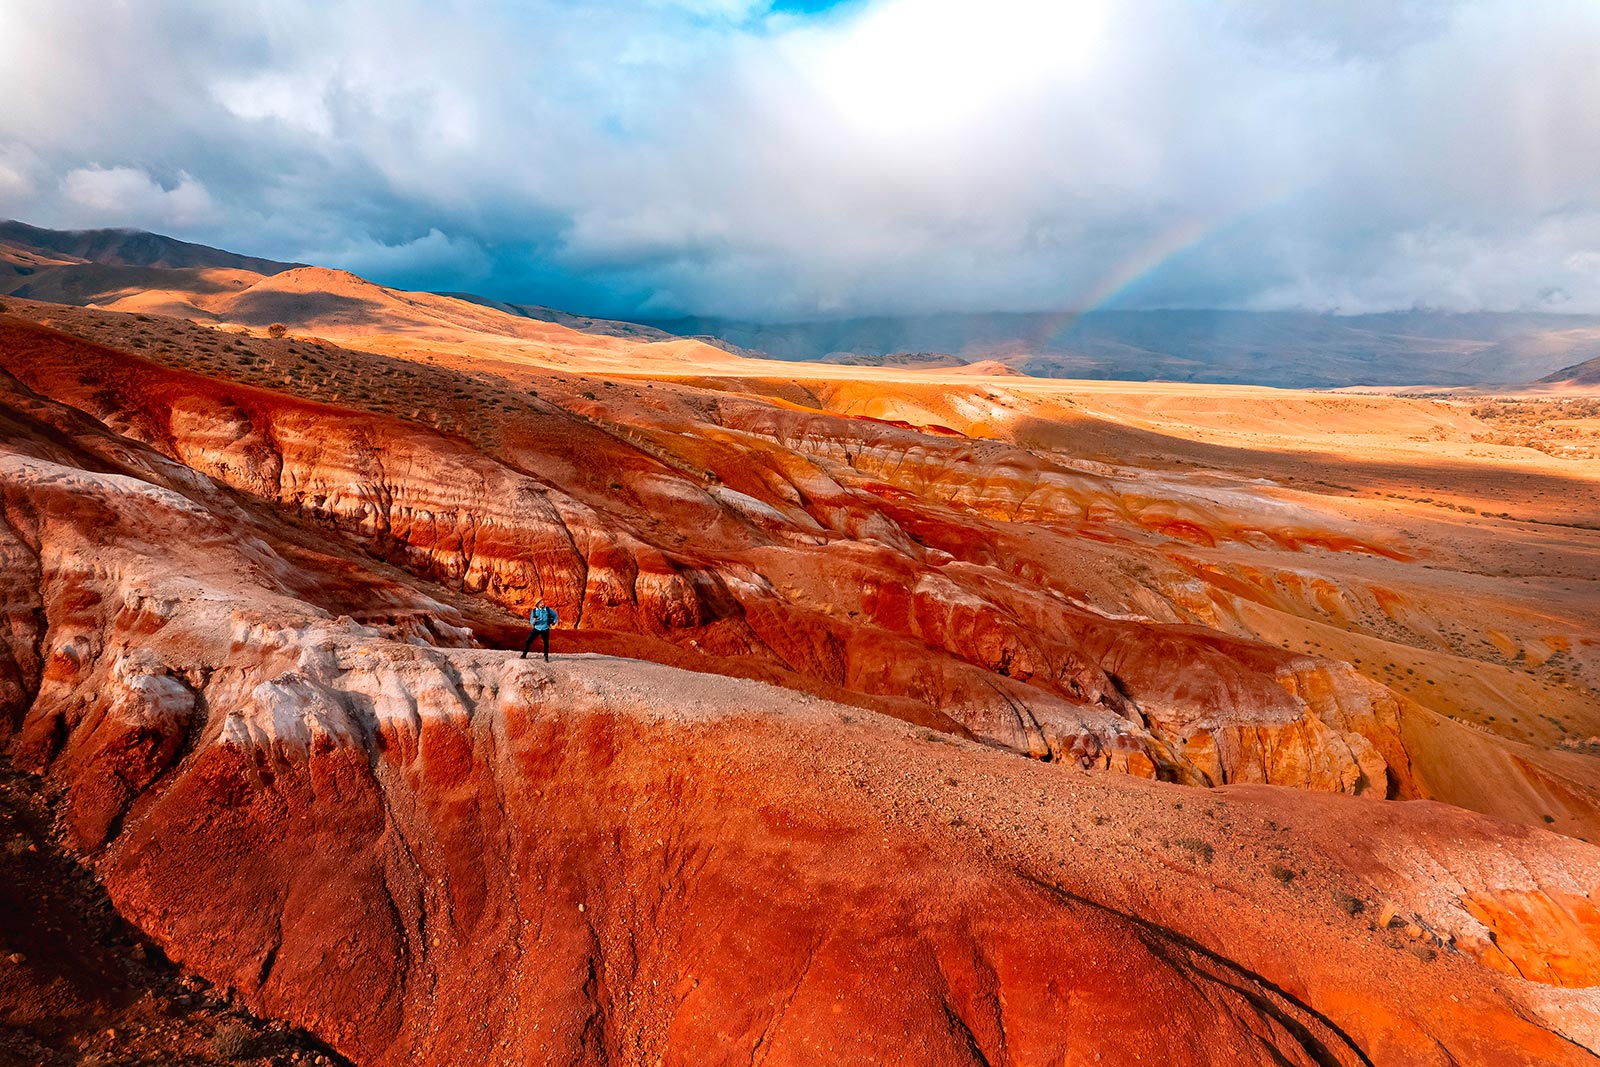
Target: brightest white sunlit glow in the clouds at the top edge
[916,68]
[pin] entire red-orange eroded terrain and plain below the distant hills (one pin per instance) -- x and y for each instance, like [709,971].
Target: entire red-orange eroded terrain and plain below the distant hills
[894,719]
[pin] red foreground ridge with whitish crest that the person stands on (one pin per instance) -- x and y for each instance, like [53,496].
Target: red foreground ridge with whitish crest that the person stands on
[615,861]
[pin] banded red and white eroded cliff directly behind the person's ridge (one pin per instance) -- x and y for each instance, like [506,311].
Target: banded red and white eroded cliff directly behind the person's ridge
[855,559]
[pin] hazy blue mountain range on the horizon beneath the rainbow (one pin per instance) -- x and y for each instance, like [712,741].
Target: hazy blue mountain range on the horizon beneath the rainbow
[1295,350]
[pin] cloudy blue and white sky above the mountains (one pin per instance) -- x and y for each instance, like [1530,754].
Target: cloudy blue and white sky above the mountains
[812,159]
